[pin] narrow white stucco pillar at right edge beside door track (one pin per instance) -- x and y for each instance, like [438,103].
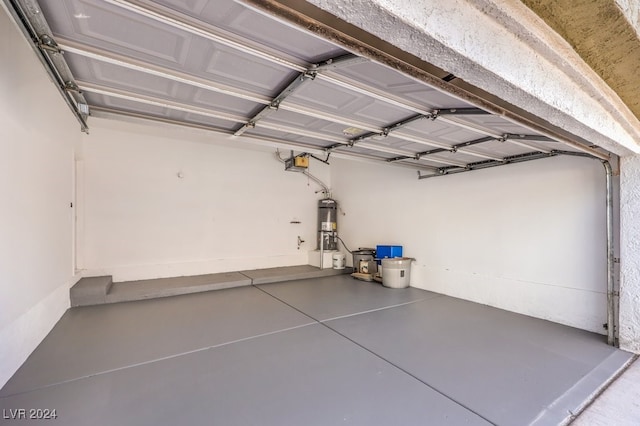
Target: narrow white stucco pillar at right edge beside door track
[630,254]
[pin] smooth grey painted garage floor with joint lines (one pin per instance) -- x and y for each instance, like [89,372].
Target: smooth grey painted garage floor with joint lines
[320,351]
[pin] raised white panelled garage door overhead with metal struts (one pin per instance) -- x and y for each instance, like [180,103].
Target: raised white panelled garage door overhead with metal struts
[224,66]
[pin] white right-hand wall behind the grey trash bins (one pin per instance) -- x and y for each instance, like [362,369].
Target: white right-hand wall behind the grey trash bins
[529,237]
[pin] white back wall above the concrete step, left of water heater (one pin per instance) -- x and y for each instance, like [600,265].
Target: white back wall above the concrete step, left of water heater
[230,211]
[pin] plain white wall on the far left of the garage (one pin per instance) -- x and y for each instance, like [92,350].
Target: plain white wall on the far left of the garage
[38,135]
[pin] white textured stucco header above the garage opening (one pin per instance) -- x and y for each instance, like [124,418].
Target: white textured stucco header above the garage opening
[505,49]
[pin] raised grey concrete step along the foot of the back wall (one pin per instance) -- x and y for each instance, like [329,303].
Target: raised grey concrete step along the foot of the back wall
[100,290]
